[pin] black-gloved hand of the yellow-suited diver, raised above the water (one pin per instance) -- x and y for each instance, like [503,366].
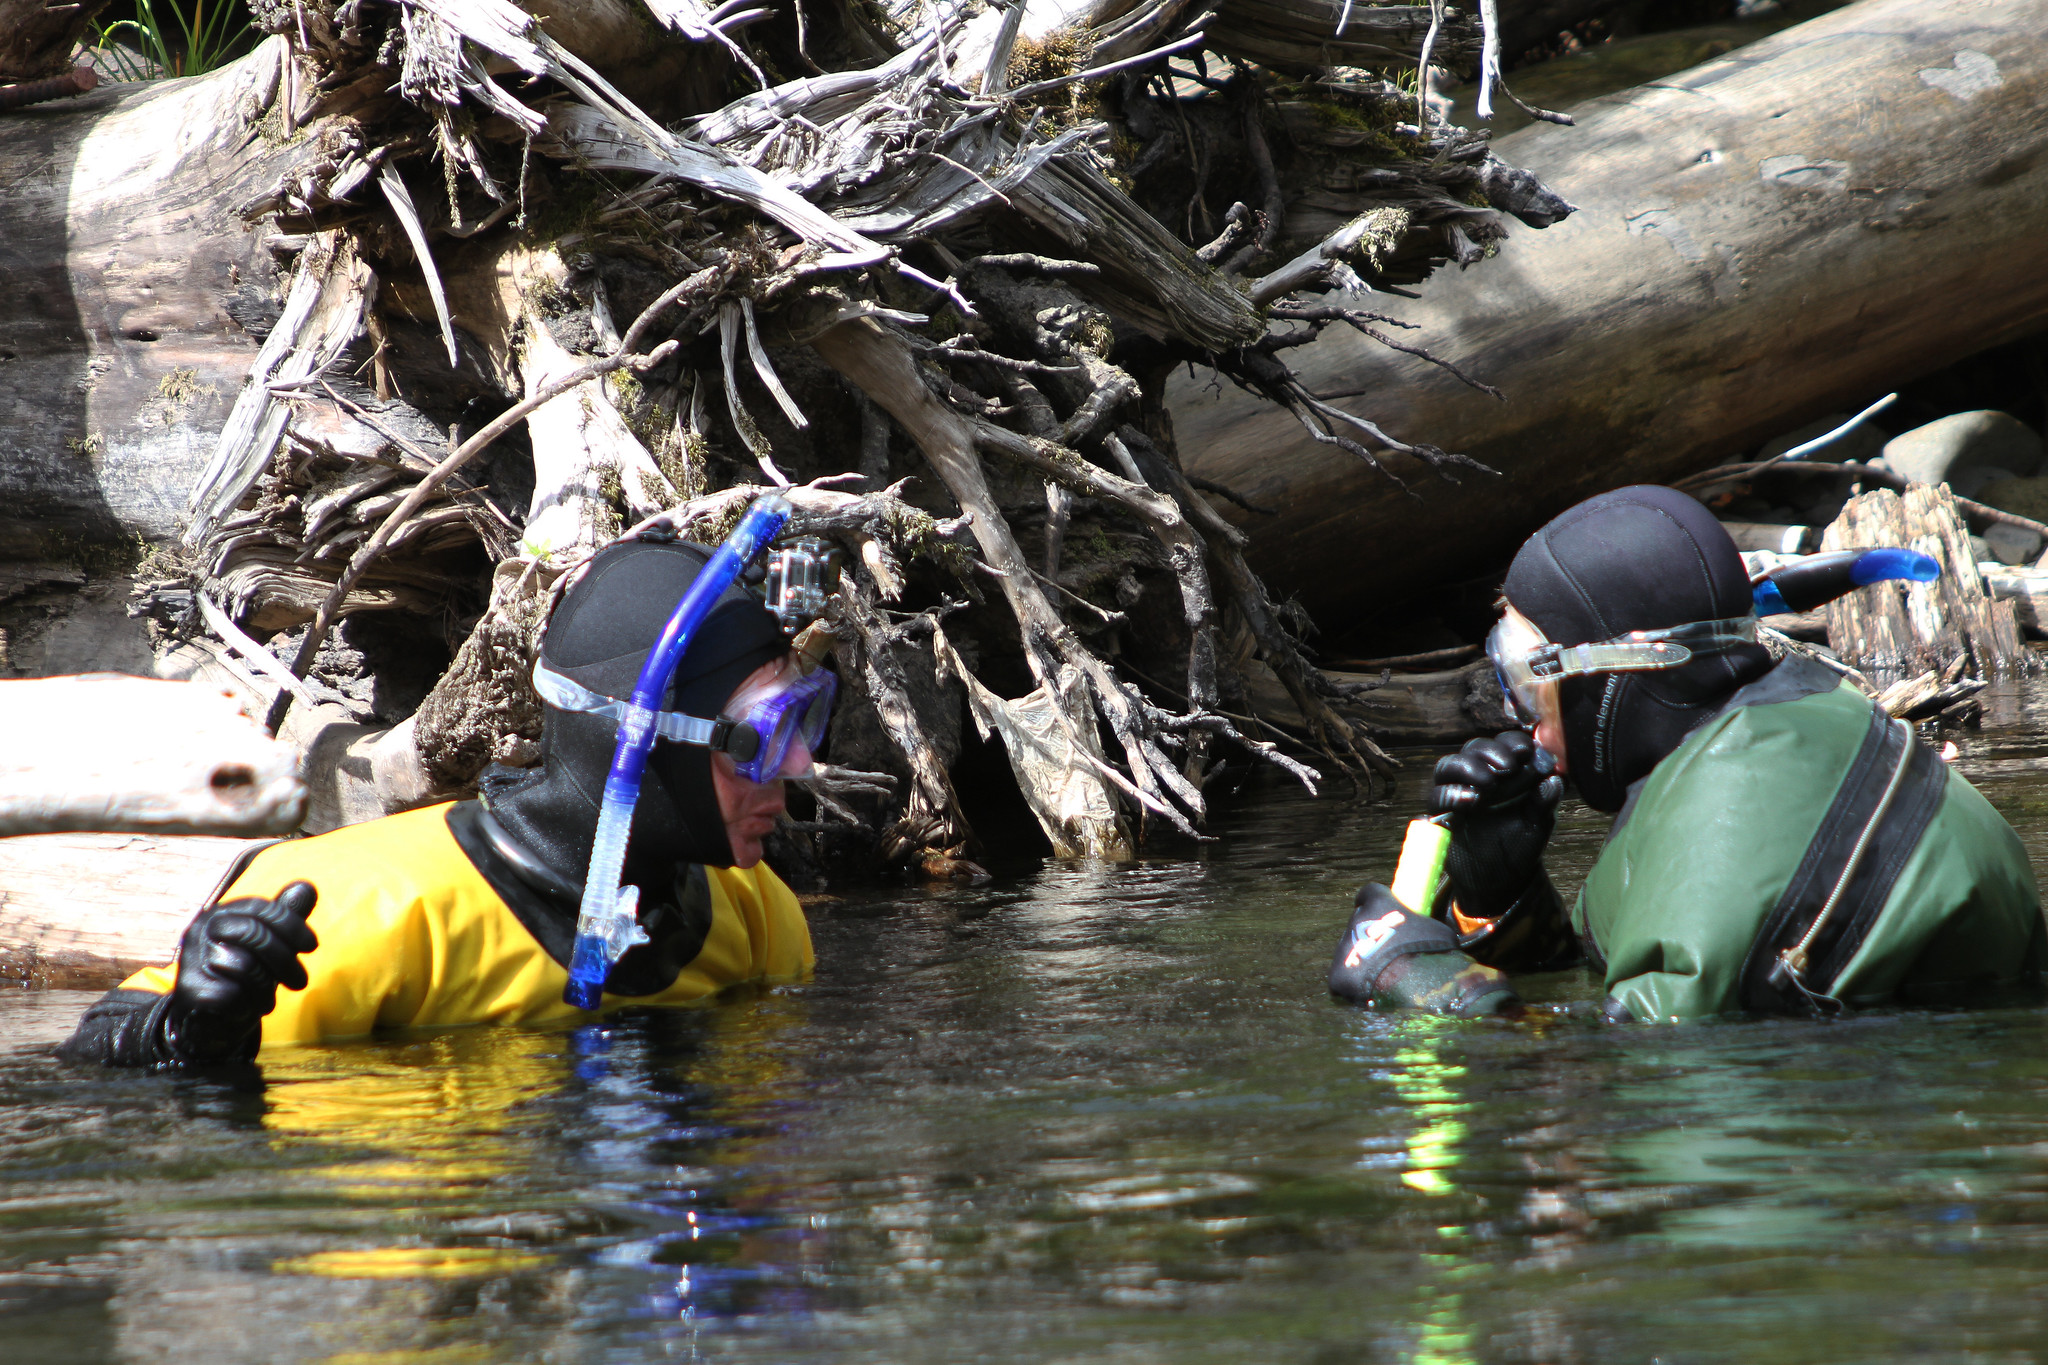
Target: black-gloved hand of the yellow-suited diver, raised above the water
[230,965]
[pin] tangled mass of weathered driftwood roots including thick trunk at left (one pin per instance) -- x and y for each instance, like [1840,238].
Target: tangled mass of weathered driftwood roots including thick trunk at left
[931,269]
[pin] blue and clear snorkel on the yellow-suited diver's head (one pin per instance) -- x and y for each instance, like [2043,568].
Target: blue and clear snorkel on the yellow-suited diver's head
[607,924]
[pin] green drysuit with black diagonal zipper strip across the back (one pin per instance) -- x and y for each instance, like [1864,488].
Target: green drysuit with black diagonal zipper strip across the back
[1727,852]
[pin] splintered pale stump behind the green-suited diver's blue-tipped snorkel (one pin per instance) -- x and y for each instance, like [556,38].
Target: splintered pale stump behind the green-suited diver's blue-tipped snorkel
[1895,631]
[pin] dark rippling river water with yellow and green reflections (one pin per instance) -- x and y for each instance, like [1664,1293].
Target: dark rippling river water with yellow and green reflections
[1082,1114]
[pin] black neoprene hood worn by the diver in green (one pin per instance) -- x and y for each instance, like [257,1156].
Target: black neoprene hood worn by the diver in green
[1635,560]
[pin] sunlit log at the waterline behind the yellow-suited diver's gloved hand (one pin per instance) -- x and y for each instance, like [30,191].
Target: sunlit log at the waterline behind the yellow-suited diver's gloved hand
[85,912]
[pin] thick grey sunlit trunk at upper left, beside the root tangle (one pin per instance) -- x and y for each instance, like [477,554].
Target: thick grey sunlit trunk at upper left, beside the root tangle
[122,253]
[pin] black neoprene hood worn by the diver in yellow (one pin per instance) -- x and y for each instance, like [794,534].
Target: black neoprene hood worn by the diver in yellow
[601,635]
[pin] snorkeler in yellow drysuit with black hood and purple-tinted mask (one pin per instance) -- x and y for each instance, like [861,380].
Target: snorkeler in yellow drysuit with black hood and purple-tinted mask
[466,914]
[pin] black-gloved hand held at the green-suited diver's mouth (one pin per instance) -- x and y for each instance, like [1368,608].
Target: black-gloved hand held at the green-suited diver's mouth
[1502,799]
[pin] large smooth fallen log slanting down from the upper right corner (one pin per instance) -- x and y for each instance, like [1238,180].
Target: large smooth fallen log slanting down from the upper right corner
[1760,240]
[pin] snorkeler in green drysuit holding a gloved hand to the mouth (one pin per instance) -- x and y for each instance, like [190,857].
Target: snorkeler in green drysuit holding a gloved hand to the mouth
[1779,846]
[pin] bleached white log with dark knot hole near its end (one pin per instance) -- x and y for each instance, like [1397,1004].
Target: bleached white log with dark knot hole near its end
[108,752]
